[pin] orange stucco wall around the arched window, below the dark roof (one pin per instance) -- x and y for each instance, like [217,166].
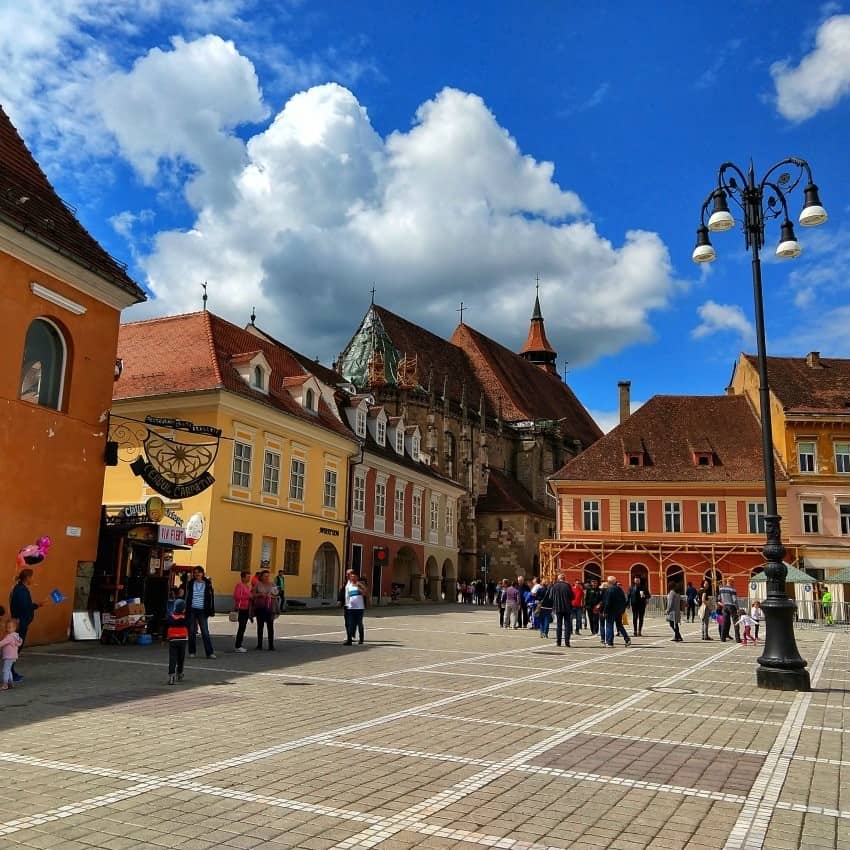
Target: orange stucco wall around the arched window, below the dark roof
[51,462]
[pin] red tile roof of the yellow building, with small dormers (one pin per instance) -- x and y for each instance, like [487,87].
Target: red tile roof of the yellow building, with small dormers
[194,352]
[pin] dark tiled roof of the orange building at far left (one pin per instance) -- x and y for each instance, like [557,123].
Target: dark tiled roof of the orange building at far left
[30,204]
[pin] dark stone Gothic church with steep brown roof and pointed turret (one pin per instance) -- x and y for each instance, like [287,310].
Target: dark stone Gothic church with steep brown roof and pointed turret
[495,422]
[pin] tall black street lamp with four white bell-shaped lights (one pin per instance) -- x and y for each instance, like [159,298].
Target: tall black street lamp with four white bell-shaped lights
[780,666]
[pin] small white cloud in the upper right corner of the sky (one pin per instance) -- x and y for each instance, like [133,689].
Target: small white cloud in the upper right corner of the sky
[823,76]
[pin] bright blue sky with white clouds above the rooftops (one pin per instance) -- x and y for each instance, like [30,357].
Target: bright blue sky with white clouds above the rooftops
[450,151]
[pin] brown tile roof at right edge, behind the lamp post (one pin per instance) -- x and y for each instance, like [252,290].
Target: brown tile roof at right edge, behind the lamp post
[800,387]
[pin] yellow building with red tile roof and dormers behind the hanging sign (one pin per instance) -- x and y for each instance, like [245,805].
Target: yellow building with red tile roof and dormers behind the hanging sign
[282,466]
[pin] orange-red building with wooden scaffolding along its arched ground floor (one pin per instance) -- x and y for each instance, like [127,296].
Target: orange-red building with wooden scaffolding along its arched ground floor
[674,493]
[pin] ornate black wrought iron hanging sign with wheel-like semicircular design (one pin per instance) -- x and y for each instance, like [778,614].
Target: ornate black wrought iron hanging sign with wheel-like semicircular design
[172,456]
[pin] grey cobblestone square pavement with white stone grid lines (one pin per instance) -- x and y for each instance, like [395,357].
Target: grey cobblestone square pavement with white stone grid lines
[442,731]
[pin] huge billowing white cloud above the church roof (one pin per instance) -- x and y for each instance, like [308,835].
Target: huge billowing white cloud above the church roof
[450,209]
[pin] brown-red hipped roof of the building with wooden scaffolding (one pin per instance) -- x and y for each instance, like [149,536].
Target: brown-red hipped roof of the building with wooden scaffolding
[669,427]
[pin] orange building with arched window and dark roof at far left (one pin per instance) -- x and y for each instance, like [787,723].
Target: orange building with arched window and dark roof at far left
[61,301]
